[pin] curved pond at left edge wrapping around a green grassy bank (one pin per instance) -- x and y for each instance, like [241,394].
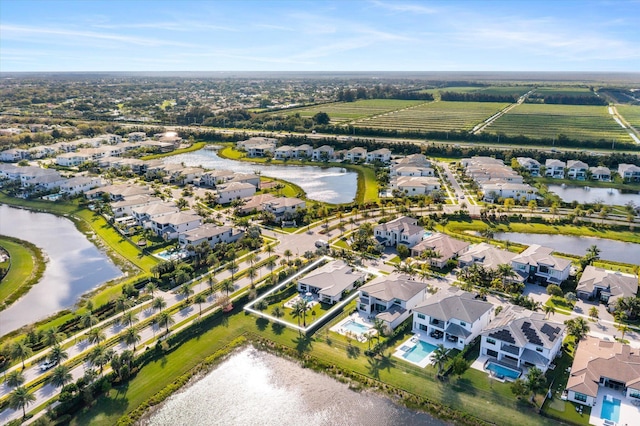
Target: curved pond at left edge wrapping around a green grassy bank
[75,266]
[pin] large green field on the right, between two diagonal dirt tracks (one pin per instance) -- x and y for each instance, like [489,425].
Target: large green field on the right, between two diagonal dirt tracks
[581,122]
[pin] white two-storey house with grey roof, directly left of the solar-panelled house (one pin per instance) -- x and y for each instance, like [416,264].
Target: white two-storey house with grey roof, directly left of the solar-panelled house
[455,318]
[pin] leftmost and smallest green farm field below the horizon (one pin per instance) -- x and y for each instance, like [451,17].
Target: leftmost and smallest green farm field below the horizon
[340,112]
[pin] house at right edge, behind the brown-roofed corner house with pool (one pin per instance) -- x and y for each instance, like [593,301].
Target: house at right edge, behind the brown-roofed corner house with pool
[606,286]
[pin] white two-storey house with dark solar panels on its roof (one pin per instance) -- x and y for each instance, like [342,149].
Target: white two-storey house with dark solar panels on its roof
[521,338]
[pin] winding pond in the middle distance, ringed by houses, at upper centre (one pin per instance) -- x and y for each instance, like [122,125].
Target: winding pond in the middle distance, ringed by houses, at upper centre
[331,184]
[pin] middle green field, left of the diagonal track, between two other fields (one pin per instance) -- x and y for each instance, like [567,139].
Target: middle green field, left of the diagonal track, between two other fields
[436,116]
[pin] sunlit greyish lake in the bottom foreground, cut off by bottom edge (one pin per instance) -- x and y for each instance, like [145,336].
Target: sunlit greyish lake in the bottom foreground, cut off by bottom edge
[258,388]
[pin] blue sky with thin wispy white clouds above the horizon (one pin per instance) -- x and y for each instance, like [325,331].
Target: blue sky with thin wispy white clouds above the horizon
[350,35]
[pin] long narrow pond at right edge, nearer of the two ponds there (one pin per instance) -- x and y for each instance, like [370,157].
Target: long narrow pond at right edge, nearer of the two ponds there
[609,249]
